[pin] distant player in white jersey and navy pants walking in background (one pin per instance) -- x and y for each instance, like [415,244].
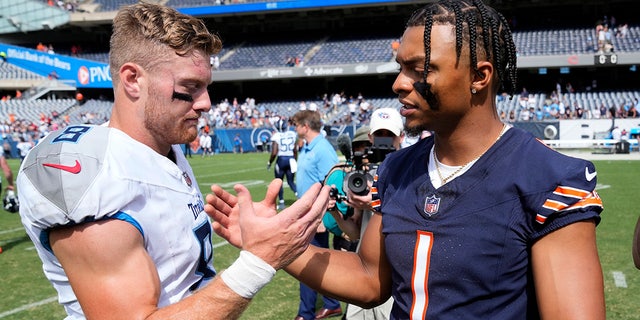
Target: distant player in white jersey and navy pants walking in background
[283,146]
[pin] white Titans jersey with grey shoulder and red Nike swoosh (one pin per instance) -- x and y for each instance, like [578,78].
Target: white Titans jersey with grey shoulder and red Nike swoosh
[85,173]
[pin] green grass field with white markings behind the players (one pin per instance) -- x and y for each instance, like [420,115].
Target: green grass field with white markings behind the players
[26,294]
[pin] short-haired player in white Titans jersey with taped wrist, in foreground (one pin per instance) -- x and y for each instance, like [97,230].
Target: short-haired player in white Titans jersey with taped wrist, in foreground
[115,211]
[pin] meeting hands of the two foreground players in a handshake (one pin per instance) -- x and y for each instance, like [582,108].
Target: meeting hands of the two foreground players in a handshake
[277,238]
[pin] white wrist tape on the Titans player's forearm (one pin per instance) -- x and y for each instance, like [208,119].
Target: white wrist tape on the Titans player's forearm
[248,274]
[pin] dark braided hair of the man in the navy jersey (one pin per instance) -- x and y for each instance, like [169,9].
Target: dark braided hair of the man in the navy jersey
[474,22]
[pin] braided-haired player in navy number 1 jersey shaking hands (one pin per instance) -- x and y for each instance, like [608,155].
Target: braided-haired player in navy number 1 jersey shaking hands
[480,220]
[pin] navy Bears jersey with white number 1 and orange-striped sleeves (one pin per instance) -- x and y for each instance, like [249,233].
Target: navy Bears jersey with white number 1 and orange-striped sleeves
[463,251]
